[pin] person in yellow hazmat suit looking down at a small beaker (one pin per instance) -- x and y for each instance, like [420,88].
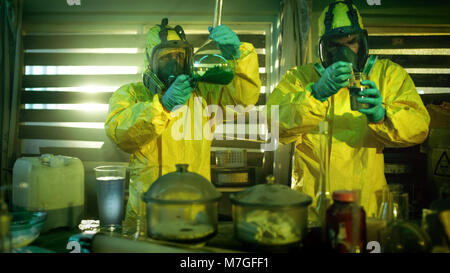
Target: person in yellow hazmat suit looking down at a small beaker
[312,93]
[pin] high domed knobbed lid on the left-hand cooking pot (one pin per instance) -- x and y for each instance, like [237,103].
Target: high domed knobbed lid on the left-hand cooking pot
[181,186]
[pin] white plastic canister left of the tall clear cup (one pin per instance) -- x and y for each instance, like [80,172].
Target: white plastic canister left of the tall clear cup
[53,183]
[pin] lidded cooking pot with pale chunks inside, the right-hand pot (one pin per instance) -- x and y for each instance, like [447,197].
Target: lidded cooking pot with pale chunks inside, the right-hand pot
[270,215]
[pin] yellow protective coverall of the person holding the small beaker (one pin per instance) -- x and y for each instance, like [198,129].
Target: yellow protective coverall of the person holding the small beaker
[356,150]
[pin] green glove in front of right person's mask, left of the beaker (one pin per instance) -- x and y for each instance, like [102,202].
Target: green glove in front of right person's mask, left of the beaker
[335,77]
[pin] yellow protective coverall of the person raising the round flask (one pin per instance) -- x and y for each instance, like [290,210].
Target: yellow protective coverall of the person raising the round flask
[158,139]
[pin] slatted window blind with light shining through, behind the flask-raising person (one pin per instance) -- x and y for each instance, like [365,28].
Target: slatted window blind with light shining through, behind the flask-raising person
[69,79]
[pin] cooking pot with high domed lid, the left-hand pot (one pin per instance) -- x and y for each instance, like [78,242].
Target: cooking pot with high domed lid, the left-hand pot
[182,206]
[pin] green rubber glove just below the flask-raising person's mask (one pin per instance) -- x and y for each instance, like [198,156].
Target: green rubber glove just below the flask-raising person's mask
[178,93]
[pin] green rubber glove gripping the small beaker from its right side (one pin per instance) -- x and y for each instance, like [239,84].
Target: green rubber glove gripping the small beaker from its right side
[373,97]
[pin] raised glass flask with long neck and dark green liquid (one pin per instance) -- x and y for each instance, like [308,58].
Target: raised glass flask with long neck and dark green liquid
[209,65]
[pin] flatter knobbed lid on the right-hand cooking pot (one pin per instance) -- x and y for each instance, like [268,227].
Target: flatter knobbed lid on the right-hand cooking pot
[271,195]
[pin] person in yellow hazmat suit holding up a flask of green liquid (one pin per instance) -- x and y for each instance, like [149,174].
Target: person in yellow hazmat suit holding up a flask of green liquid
[145,118]
